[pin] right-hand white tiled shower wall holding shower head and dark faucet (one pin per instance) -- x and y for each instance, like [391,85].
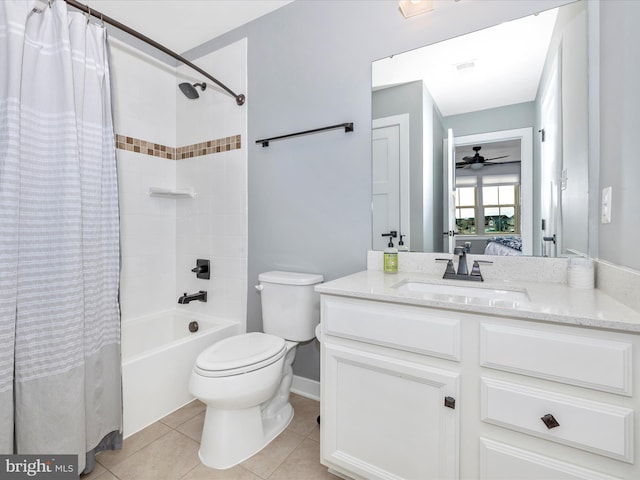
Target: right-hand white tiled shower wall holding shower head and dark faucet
[213,225]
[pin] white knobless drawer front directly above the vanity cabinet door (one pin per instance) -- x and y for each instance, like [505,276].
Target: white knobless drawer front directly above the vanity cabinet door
[405,327]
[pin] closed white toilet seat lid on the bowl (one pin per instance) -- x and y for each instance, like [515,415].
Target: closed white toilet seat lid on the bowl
[240,354]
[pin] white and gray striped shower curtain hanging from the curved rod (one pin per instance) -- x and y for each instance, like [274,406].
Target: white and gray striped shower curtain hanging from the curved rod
[60,384]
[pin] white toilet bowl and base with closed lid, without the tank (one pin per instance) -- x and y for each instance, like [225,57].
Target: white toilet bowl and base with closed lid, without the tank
[244,411]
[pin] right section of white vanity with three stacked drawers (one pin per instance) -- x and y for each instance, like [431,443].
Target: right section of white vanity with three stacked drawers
[567,386]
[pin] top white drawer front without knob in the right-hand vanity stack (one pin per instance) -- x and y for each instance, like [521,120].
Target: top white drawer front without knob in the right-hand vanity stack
[576,359]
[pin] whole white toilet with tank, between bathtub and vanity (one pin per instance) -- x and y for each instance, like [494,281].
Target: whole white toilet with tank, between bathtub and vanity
[245,380]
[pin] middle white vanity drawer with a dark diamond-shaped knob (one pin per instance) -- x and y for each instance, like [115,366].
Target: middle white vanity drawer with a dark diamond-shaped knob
[593,426]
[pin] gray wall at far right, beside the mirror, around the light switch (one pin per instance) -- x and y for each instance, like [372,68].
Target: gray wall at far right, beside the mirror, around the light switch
[620,124]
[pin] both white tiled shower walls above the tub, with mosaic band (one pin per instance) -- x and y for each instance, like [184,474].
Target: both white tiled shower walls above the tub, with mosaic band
[166,140]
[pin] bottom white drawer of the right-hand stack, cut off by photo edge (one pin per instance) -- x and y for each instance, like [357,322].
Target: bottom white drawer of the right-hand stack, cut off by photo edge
[504,462]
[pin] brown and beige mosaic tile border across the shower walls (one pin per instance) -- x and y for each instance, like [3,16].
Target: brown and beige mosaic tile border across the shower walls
[218,145]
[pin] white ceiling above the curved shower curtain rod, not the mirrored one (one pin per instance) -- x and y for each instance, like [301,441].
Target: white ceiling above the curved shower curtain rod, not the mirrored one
[181,25]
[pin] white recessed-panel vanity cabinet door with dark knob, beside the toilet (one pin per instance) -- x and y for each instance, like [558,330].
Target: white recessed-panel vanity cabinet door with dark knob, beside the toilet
[385,418]
